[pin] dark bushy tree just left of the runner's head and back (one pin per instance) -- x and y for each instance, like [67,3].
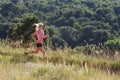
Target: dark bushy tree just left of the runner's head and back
[23,30]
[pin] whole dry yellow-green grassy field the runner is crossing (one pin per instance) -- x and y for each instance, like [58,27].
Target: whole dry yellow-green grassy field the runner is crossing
[62,64]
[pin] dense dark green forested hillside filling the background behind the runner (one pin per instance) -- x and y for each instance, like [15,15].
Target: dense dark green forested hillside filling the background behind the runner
[76,22]
